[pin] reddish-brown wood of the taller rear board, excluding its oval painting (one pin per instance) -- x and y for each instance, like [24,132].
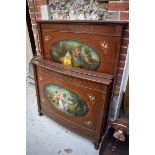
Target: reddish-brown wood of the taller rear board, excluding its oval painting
[103,37]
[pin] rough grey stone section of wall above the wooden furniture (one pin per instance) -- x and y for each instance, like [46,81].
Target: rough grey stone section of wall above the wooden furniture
[78,10]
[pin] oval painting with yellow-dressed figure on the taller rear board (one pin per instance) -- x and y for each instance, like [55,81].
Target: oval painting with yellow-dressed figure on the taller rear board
[75,54]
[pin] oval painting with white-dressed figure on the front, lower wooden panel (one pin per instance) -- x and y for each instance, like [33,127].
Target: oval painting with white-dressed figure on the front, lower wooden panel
[65,100]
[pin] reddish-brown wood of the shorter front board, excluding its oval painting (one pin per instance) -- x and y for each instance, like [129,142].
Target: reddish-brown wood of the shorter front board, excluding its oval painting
[93,89]
